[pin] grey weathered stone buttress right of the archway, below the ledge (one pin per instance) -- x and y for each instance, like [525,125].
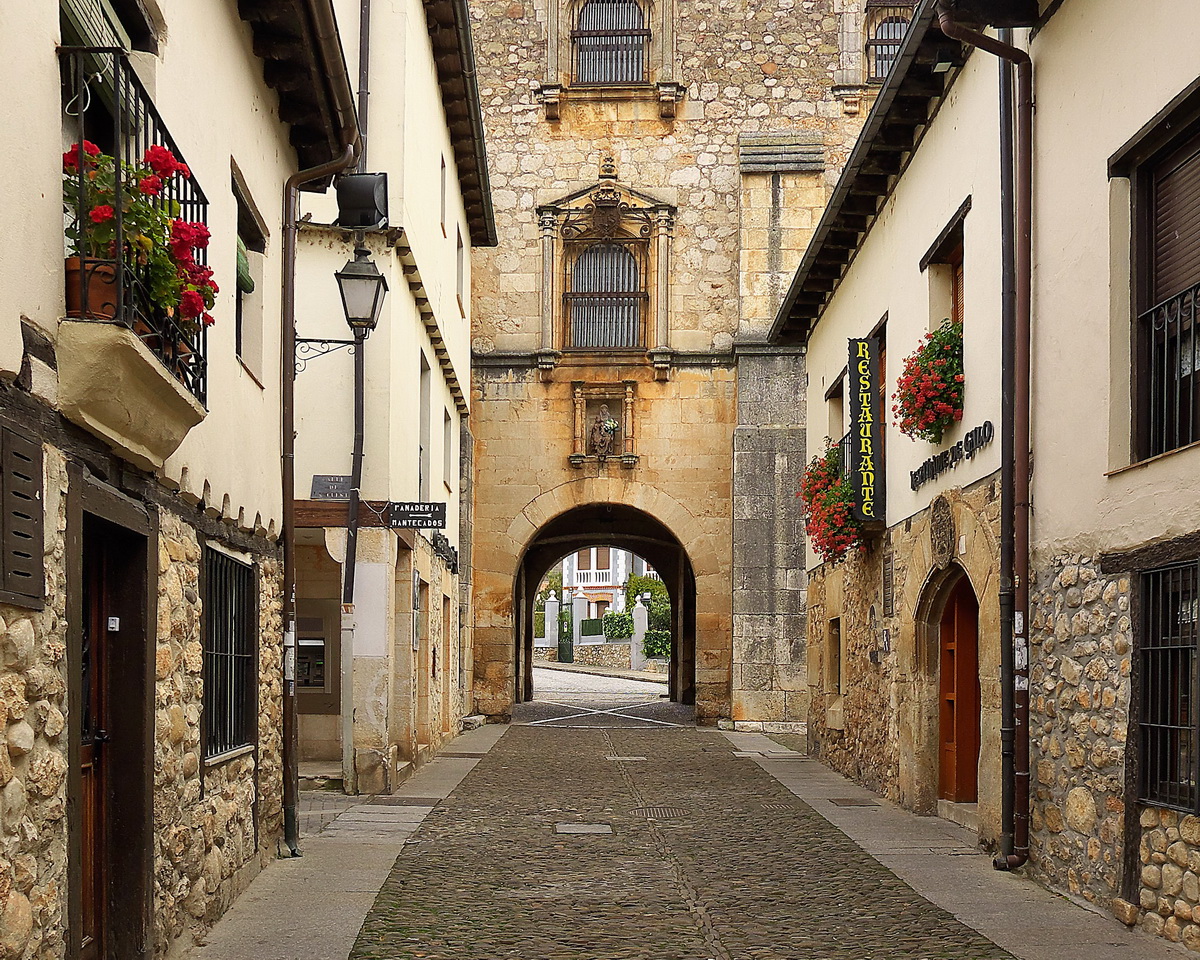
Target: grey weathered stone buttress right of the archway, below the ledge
[770,662]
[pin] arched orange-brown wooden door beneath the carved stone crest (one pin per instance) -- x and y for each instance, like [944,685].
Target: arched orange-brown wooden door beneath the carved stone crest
[959,713]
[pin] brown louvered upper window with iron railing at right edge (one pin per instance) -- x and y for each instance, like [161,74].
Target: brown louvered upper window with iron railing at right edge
[1168,357]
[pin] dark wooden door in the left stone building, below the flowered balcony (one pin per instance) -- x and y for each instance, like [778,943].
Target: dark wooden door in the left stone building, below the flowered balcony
[94,784]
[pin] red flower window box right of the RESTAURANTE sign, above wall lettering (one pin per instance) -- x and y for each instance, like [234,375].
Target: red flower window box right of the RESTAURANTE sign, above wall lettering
[929,393]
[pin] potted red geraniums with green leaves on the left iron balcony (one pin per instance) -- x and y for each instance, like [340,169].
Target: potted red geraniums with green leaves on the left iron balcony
[158,247]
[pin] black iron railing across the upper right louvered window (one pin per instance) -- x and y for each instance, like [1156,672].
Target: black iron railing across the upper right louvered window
[1171,369]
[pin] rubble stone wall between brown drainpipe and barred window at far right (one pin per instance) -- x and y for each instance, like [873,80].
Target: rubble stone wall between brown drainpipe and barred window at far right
[1081,662]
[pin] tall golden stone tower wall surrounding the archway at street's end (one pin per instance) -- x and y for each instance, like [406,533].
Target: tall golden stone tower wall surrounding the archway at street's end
[746,69]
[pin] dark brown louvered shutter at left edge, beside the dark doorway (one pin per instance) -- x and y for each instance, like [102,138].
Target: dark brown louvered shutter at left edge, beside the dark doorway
[22,577]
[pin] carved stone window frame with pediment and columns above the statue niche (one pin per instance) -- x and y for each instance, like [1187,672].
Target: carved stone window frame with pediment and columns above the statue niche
[605,213]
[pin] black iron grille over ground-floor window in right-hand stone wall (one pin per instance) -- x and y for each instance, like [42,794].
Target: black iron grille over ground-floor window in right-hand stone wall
[1168,722]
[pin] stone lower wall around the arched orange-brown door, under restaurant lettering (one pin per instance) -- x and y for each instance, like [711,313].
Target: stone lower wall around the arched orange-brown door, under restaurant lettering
[881,729]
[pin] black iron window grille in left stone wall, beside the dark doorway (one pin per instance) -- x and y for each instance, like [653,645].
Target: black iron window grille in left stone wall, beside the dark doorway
[231,645]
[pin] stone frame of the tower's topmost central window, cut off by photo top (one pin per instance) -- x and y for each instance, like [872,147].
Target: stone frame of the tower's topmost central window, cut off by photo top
[661,83]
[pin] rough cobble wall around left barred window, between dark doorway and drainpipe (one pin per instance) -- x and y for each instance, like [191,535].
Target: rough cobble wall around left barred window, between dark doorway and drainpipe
[207,848]
